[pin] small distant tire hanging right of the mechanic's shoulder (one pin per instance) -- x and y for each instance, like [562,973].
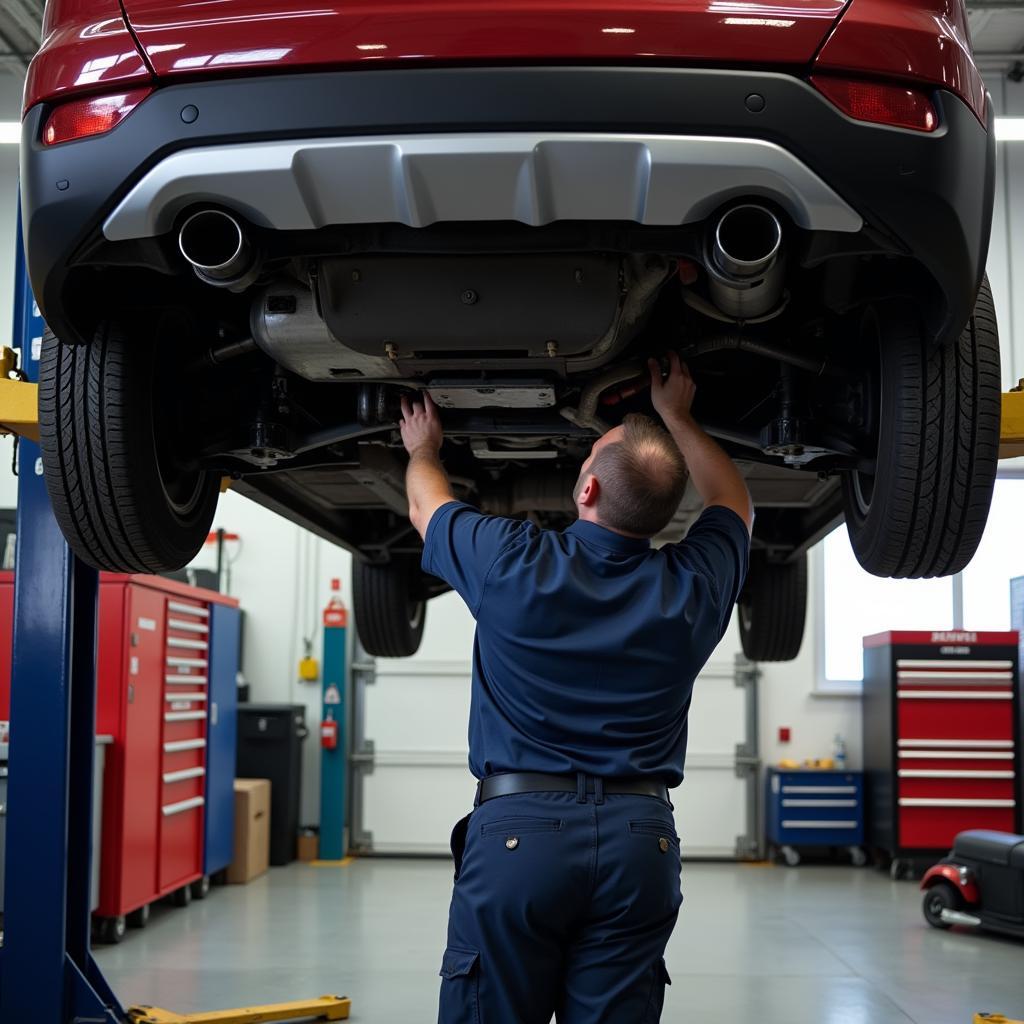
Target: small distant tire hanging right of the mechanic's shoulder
[773,609]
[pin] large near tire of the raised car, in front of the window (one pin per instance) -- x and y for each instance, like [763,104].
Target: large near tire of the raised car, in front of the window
[923,511]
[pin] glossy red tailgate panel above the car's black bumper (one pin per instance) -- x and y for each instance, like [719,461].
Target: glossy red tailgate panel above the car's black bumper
[216,37]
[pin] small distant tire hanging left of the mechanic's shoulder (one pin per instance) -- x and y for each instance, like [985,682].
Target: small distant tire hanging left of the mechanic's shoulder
[391,612]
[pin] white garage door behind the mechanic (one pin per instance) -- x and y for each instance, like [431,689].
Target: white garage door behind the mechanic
[411,782]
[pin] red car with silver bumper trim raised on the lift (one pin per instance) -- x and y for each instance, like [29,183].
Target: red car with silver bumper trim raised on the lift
[252,225]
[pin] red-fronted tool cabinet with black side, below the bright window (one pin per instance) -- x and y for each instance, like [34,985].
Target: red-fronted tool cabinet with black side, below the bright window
[943,723]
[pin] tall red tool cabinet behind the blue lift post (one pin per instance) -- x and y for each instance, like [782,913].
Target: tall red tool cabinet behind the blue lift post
[152,697]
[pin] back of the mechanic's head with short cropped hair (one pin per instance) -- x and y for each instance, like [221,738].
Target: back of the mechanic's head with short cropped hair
[633,481]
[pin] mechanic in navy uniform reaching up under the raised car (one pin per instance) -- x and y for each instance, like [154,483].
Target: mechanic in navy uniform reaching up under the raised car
[588,643]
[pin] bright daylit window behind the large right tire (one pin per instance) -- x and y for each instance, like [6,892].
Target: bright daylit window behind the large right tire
[854,605]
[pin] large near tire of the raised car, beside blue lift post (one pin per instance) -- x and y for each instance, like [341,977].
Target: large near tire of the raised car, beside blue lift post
[122,501]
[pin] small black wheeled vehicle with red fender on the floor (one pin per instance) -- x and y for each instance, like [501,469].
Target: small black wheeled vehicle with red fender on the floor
[980,884]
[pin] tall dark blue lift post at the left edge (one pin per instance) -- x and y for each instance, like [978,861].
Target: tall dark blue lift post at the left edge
[48,974]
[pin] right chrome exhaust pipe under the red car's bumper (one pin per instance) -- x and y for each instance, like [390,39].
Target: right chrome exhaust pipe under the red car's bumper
[745,265]
